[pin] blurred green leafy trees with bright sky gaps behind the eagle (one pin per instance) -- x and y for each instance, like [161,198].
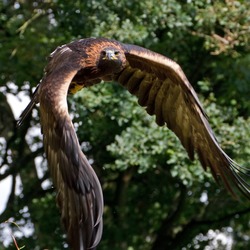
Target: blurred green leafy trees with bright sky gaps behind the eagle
[155,197]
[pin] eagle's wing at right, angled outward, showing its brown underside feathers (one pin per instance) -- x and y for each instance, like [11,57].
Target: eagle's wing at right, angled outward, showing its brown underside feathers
[162,87]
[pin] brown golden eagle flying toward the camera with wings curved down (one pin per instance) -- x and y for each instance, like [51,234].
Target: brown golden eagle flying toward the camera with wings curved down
[160,86]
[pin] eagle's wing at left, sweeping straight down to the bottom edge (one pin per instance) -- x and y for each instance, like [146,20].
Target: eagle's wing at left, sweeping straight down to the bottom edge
[79,192]
